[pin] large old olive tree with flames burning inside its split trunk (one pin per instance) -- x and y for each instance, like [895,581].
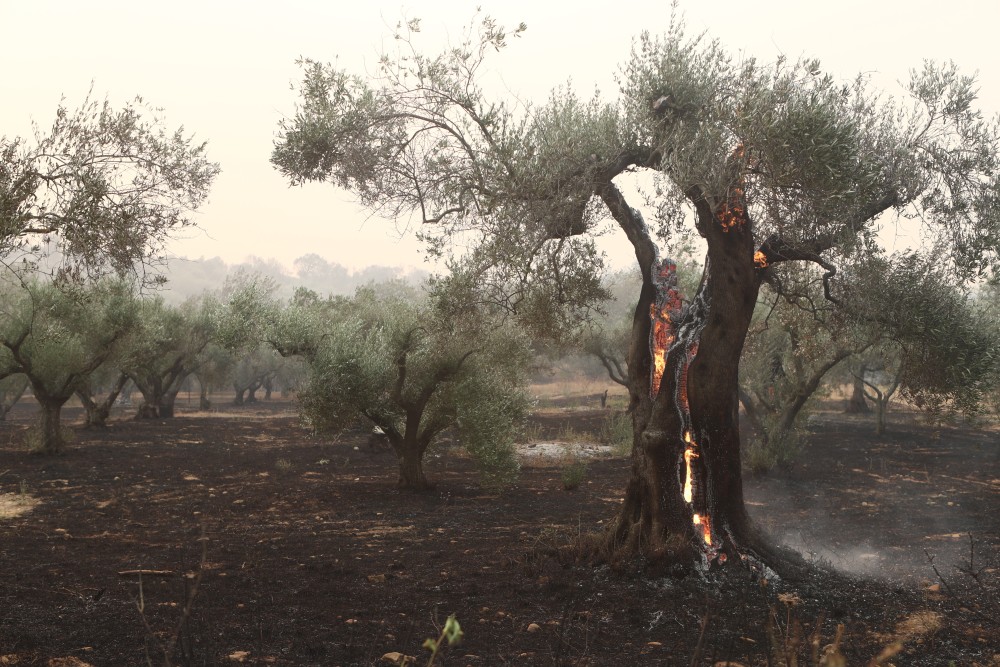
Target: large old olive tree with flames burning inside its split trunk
[771,163]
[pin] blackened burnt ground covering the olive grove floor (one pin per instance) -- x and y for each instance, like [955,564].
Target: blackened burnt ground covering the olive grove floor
[303,553]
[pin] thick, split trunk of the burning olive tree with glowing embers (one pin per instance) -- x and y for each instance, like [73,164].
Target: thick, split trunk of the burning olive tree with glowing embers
[683,504]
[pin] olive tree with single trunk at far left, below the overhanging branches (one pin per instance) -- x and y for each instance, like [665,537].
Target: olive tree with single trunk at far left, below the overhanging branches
[57,335]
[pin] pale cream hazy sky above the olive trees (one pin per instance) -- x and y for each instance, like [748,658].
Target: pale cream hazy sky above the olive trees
[224,69]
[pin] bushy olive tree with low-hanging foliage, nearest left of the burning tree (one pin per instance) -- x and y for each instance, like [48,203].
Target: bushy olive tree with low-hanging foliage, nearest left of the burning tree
[400,364]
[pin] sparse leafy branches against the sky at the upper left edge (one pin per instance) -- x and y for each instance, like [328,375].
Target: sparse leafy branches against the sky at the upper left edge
[106,186]
